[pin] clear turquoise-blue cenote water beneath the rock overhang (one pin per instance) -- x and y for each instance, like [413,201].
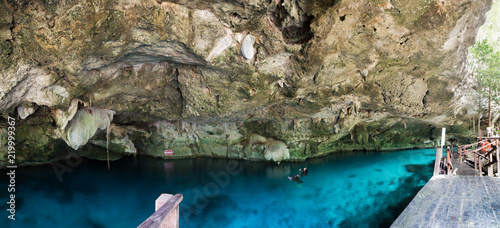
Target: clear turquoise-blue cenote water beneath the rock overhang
[357,189]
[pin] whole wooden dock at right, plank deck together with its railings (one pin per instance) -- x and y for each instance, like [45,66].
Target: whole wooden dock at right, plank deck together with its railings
[461,198]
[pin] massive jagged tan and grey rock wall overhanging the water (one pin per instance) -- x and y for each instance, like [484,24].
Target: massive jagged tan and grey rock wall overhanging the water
[322,76]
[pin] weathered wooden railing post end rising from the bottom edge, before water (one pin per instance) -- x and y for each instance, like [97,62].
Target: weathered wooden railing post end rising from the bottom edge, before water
[167,212]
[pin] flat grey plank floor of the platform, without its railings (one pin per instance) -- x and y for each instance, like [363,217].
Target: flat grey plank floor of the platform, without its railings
[454,201]
